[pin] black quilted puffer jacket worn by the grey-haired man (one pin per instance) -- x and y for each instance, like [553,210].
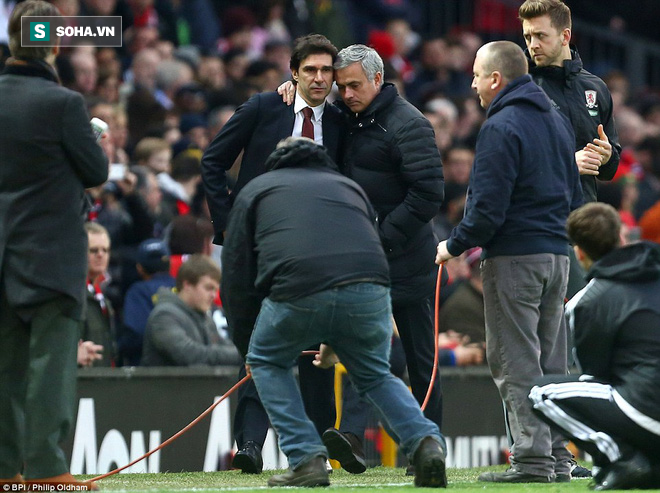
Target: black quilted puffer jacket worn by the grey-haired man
[392,154]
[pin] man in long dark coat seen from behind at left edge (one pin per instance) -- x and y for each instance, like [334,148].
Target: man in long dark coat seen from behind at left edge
[48,156]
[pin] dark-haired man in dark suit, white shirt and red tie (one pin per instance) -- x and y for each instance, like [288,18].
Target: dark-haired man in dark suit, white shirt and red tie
[255,129]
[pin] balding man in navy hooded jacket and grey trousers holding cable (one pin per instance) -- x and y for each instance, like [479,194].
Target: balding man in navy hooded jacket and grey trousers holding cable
[523,185]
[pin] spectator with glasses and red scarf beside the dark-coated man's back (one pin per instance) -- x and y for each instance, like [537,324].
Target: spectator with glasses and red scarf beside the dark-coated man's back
[98,326]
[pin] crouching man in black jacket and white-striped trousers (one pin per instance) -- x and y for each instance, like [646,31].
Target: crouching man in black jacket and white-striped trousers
[613,410]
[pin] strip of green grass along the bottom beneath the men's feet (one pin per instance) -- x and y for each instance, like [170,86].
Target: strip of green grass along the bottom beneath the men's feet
[390,480]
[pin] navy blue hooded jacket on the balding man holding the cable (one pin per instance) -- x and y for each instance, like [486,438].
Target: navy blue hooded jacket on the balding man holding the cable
[524,181]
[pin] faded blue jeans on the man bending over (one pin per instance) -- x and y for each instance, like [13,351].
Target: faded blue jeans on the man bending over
[356,320]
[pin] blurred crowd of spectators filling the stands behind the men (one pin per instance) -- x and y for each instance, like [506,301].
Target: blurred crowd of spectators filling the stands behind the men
[186,65]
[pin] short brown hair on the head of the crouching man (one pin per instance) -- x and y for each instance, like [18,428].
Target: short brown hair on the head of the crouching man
[595,228]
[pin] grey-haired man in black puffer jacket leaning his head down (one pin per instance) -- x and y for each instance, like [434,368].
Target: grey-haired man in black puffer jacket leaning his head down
[391,153]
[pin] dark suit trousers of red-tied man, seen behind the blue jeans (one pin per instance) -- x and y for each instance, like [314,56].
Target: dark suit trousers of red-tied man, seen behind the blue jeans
[318,393]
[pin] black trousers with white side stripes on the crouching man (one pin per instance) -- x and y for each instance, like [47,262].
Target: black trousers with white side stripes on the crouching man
[587,412]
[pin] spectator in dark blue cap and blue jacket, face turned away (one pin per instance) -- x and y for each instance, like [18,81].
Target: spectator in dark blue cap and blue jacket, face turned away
[153,265]
